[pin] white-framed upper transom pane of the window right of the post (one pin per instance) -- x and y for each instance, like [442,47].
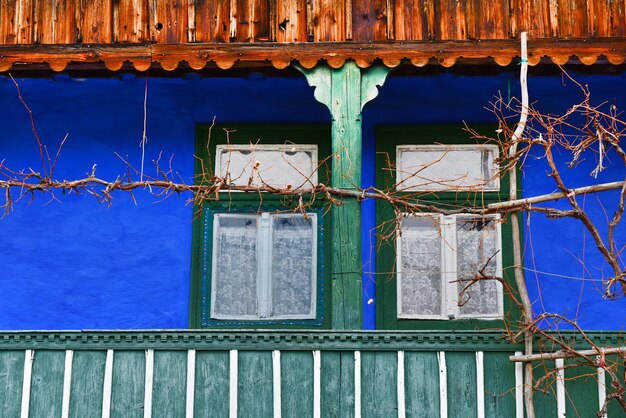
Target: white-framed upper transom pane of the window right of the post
[447,167]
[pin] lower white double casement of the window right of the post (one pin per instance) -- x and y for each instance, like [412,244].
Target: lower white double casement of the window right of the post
[438,256]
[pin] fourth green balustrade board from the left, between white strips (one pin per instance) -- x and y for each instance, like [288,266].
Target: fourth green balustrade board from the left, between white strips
[129,368]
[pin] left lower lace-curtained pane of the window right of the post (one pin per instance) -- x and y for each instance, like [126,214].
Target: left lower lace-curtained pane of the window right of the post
[420,267]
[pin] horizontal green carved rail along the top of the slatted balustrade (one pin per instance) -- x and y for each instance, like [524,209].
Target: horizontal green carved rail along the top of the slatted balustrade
[462,340]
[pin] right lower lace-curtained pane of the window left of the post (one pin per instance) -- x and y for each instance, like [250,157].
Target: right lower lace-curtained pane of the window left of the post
[293,265]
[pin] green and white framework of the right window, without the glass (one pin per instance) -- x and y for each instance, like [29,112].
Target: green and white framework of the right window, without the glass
[389,312]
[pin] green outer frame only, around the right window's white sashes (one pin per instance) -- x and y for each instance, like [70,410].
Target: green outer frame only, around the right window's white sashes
[387,138]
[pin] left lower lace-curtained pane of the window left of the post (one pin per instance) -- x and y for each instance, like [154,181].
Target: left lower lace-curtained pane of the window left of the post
[235,266]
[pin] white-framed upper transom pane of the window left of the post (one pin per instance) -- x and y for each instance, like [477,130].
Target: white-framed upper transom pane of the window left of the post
[281,166]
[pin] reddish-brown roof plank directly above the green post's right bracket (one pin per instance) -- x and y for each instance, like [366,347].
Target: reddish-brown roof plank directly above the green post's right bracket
[369,20]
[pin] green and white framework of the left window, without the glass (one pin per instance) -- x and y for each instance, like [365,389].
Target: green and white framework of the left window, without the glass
[260,208]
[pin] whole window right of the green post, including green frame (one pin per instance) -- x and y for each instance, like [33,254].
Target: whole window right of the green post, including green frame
[427,259]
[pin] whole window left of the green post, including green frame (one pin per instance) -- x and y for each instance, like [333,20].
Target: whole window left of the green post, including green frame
[259,257]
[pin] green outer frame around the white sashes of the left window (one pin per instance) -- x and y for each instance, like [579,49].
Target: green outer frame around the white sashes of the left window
[207,138]
